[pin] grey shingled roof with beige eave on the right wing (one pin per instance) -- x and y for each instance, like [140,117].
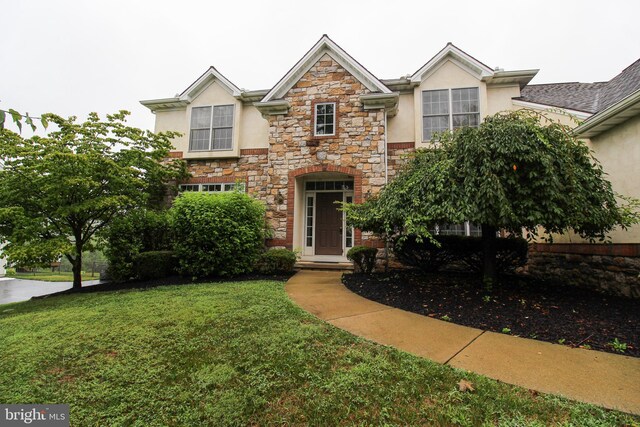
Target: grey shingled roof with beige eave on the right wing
[610,102]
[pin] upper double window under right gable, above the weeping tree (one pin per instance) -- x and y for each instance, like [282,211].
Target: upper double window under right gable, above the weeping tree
[449,109]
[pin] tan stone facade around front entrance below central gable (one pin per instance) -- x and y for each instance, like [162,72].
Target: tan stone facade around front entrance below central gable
[358,144]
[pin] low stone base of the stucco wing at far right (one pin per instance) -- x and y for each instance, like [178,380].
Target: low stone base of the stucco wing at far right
[614,269]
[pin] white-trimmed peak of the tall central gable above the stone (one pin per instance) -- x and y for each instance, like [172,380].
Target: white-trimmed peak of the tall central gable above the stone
[325,46]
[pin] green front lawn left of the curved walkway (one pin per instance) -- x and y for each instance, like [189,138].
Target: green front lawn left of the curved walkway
[239,354]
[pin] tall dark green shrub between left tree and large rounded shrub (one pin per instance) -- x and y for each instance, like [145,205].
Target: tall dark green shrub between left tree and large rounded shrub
[138,231]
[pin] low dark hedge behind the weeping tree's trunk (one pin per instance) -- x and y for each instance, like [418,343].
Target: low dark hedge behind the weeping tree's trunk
[510,253]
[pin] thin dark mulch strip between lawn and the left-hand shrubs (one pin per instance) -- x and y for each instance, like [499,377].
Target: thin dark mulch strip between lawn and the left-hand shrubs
[166,281]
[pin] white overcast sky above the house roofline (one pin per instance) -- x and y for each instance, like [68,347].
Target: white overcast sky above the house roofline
[73,57]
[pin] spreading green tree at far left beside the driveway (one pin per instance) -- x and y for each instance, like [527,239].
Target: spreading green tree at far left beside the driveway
[57,191]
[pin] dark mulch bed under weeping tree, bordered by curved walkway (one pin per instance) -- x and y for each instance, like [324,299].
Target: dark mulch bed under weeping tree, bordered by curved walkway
[529,309]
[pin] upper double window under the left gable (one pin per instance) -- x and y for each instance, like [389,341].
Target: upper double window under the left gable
[211,128]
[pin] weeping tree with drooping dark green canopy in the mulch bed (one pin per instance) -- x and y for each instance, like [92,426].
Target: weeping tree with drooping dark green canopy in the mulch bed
[518,171]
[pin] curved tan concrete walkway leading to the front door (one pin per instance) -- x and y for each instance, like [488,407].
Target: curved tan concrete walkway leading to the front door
[604,379]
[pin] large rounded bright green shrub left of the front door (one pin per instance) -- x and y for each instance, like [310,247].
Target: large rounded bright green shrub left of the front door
[217,234]
